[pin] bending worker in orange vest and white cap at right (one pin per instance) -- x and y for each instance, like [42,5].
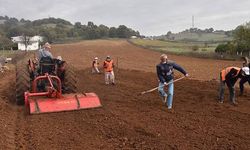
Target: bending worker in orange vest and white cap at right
[229,76]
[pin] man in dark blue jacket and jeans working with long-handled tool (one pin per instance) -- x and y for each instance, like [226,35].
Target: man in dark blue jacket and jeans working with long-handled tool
[166,75]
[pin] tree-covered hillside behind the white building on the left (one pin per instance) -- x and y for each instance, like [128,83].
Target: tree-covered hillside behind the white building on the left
[56,29]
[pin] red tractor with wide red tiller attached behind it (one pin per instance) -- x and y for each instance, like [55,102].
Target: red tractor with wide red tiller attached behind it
[50,86]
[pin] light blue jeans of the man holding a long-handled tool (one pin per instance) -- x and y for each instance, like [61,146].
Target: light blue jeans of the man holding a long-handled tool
[170,93]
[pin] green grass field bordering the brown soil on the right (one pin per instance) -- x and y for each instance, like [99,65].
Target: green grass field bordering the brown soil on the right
[204,50]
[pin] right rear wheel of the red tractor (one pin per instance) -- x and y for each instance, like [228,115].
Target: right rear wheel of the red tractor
[70,79]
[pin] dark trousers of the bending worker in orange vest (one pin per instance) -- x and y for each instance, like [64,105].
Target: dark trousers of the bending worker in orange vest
[222,91]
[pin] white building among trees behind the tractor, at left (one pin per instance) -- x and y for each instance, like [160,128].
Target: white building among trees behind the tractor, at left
[33,43]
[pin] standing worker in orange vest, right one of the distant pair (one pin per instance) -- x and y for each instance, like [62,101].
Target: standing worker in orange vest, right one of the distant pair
[108,66]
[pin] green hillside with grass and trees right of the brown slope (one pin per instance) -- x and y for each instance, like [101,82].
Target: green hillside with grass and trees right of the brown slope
[205,43]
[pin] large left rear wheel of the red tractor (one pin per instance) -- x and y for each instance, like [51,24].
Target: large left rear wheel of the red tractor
[22,82]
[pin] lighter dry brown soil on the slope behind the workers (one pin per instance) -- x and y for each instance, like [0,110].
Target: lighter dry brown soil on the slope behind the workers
[136,58]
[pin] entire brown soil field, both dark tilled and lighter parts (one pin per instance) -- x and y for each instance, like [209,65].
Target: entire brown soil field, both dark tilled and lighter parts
[128,120]
